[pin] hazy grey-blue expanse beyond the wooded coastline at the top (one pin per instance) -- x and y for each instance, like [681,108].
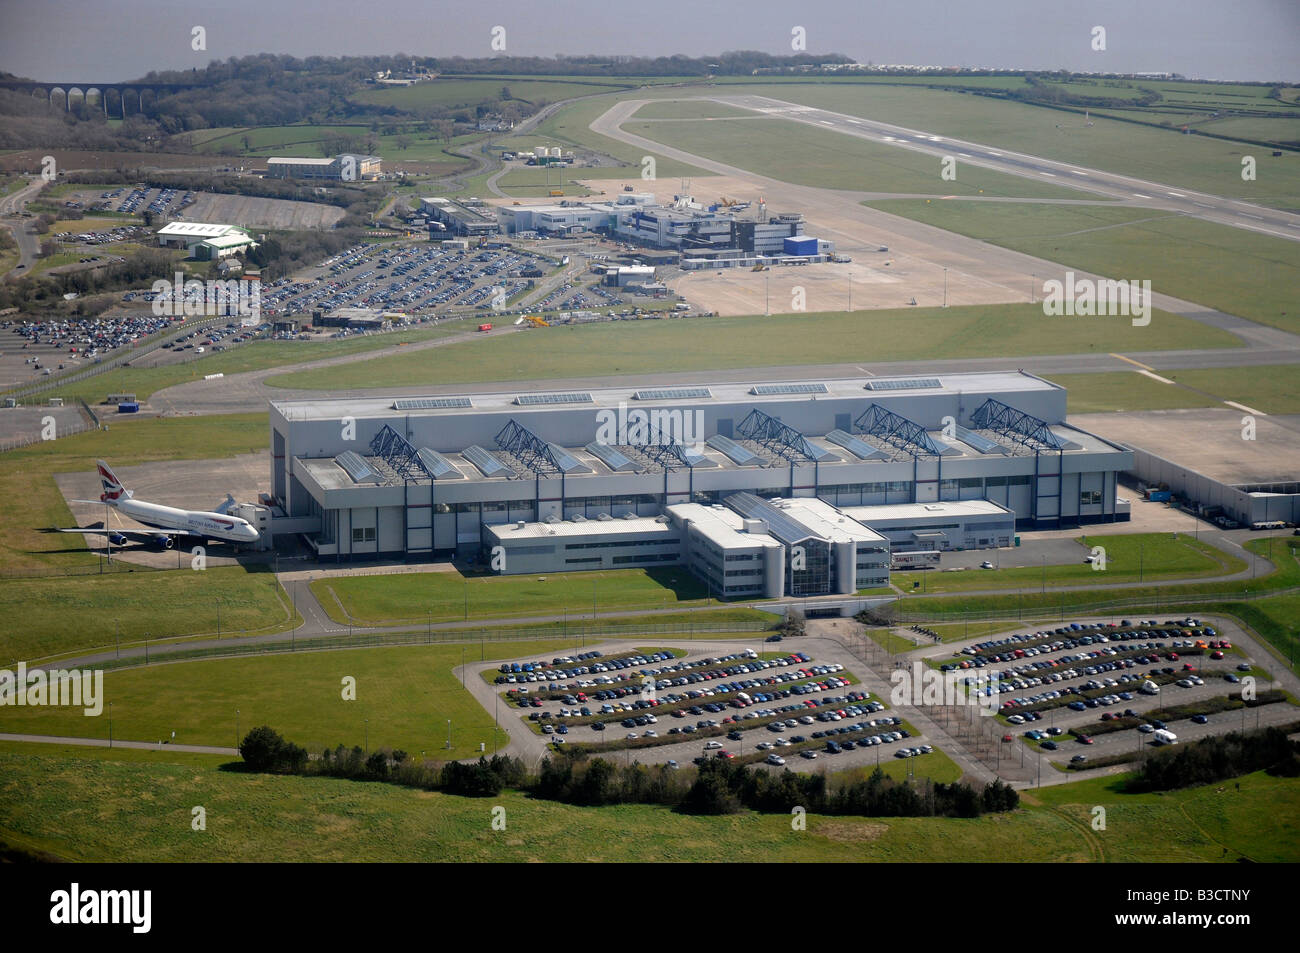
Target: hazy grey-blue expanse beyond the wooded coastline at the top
[112,41]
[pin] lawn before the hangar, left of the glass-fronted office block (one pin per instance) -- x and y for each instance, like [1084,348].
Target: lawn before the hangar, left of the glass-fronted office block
[448,597]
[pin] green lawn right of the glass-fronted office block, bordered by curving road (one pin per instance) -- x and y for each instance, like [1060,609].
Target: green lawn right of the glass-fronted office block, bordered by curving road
[1134,558]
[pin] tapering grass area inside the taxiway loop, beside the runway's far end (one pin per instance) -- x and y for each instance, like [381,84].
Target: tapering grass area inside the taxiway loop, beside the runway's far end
[807,155]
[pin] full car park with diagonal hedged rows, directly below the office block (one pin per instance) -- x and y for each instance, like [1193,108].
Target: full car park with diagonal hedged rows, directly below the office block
[677,708]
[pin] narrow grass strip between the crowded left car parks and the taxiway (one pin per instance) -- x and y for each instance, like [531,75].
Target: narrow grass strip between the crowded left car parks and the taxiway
[257,356]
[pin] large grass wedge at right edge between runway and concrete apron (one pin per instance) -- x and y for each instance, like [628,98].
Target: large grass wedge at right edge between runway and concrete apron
[1240,272]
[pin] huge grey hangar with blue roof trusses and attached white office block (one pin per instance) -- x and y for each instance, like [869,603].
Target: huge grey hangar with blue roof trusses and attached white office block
[726,479]
